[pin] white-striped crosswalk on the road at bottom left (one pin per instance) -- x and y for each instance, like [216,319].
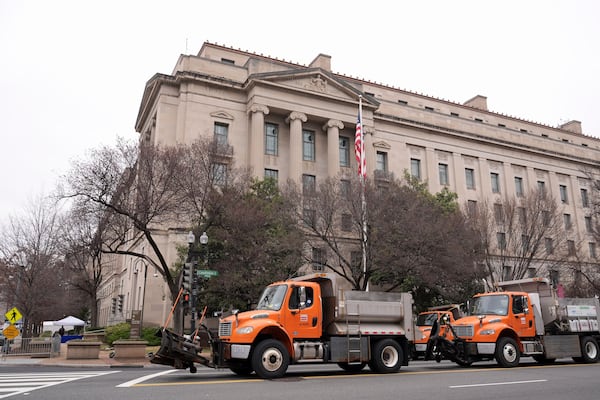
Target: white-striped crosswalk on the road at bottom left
[13,384]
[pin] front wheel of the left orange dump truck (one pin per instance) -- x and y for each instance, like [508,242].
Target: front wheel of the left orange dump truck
[270,359]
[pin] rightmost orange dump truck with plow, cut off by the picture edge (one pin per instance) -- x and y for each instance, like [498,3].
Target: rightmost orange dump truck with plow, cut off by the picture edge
[524,318]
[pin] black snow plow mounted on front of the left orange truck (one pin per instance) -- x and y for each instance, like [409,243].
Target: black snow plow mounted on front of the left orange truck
[179,352]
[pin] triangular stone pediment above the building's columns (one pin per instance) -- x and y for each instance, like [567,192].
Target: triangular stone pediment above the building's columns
[313,80]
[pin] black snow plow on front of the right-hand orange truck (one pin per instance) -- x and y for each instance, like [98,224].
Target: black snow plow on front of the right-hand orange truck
[439,348]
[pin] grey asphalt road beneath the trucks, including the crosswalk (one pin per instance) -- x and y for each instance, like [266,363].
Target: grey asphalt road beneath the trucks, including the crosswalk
[420,380]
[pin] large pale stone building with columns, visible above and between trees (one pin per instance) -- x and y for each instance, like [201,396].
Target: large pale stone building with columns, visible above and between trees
[292,121]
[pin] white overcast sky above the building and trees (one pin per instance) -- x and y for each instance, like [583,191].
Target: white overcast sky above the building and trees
[72,73]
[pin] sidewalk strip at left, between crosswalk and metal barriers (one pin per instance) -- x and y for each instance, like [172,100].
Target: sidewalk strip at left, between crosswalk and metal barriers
[104,361]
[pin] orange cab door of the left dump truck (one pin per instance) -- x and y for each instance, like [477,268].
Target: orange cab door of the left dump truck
[303,314]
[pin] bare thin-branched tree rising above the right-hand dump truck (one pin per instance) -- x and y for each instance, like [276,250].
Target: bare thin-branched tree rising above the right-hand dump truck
[519,235]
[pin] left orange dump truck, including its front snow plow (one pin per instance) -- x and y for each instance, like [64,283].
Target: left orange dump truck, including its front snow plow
[310,319]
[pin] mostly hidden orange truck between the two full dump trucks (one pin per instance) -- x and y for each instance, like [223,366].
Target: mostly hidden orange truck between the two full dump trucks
[443,315]
